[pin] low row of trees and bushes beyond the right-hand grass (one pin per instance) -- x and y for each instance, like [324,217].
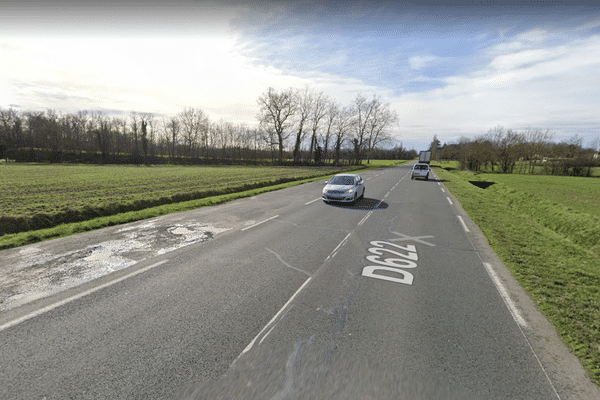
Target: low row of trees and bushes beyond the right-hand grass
[527,151]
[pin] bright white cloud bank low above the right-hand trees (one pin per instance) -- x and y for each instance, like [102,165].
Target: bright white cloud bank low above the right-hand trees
[518,89]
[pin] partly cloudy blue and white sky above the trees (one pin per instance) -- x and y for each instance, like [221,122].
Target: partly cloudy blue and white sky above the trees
[449,68]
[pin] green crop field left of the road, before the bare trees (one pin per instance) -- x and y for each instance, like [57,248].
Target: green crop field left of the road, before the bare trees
[42,196]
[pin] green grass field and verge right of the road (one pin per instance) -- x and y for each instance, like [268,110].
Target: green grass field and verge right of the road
[546,229]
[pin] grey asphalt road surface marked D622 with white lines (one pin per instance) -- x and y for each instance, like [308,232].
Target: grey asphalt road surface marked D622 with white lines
[281,296]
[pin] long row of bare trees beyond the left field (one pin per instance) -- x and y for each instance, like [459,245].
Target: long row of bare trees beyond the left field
[300,125]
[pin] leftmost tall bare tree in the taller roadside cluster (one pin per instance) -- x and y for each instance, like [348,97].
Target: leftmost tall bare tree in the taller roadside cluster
[276,112]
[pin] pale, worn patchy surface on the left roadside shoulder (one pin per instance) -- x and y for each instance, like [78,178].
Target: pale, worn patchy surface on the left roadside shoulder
[32,273]
